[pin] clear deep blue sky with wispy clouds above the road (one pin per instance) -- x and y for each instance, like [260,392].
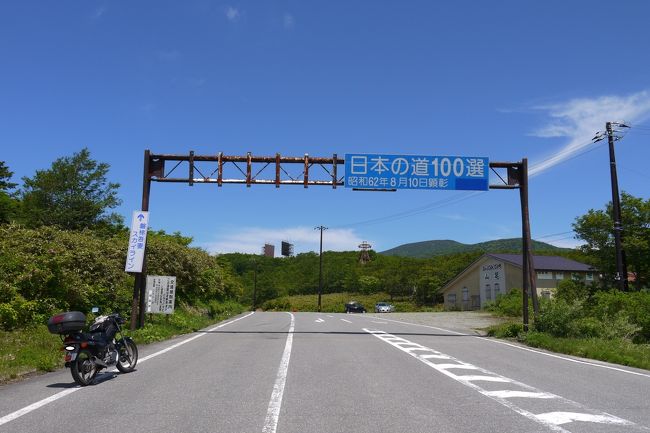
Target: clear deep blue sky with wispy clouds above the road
[505,80]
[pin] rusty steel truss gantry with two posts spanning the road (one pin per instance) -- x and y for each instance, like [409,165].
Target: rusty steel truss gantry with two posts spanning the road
[250,170]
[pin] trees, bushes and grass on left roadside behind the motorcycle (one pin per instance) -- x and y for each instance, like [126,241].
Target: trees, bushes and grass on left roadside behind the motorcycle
[61,249]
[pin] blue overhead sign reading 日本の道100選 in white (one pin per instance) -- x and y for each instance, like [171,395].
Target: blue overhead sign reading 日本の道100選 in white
[379,171]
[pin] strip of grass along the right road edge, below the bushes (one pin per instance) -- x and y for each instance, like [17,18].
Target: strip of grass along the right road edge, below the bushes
[617,351]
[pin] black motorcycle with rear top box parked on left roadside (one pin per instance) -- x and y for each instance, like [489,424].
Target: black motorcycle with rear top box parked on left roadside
[87,353]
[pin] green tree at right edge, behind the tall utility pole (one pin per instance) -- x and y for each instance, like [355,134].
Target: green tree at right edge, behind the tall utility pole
[596,229]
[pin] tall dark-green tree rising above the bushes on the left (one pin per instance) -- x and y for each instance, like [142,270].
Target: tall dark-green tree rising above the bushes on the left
[73,194]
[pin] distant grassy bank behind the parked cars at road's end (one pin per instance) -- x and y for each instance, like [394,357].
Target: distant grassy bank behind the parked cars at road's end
[335,303]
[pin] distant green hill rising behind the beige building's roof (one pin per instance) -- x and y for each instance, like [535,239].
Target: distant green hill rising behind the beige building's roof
[442,247]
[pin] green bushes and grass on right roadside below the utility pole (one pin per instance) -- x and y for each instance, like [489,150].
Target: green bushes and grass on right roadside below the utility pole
[609,326]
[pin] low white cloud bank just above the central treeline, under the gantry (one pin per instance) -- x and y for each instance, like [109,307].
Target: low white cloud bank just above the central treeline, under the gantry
[251,240]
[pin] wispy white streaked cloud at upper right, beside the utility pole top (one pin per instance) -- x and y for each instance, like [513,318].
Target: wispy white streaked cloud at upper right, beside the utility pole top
[580,119]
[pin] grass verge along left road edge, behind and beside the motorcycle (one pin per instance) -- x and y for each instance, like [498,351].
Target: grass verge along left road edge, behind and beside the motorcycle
[34,350]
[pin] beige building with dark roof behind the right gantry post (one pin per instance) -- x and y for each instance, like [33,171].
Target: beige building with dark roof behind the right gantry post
[495,274]
